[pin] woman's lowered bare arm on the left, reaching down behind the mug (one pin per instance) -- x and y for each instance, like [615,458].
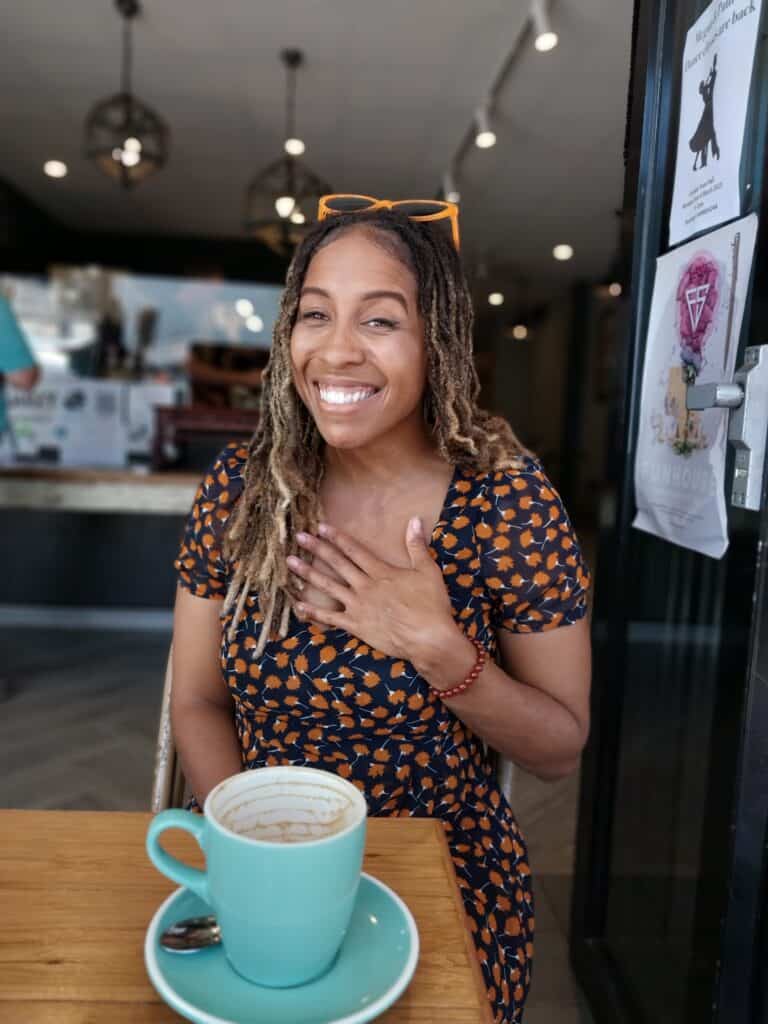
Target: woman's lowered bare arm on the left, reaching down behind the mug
[201,706]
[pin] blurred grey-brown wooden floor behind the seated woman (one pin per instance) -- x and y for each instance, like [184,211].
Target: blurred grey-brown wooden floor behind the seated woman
[78,722]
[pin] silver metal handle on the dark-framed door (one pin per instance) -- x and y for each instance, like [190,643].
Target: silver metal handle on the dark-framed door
[747,398]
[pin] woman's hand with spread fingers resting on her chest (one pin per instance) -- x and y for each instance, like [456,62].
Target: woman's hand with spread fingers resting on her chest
[391,609]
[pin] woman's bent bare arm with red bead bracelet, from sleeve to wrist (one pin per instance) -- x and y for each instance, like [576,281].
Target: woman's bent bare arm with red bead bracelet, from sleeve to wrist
[535,710]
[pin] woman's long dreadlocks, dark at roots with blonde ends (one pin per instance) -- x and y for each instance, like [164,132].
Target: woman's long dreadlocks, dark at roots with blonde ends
[286,465]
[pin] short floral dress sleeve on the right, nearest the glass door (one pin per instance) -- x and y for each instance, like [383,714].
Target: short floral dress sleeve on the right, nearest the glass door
[532,563]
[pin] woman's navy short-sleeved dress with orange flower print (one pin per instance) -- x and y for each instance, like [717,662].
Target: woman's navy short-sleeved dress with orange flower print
[323,698]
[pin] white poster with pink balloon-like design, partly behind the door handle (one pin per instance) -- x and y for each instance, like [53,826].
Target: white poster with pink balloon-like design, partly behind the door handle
[694,331]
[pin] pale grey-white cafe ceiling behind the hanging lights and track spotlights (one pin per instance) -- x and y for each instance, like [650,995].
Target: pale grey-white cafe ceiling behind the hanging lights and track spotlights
[386,99]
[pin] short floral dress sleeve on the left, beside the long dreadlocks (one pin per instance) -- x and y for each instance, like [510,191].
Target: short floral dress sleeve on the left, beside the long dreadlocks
[201,566]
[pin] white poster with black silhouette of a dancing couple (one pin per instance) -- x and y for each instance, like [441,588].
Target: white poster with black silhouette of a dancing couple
[717,70]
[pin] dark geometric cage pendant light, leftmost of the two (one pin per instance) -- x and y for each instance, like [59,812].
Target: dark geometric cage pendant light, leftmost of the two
[123,137]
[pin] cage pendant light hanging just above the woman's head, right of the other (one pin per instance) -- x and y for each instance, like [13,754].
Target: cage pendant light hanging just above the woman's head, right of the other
[281,198]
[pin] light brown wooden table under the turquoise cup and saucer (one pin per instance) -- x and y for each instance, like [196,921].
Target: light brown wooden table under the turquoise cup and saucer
[77,893]
